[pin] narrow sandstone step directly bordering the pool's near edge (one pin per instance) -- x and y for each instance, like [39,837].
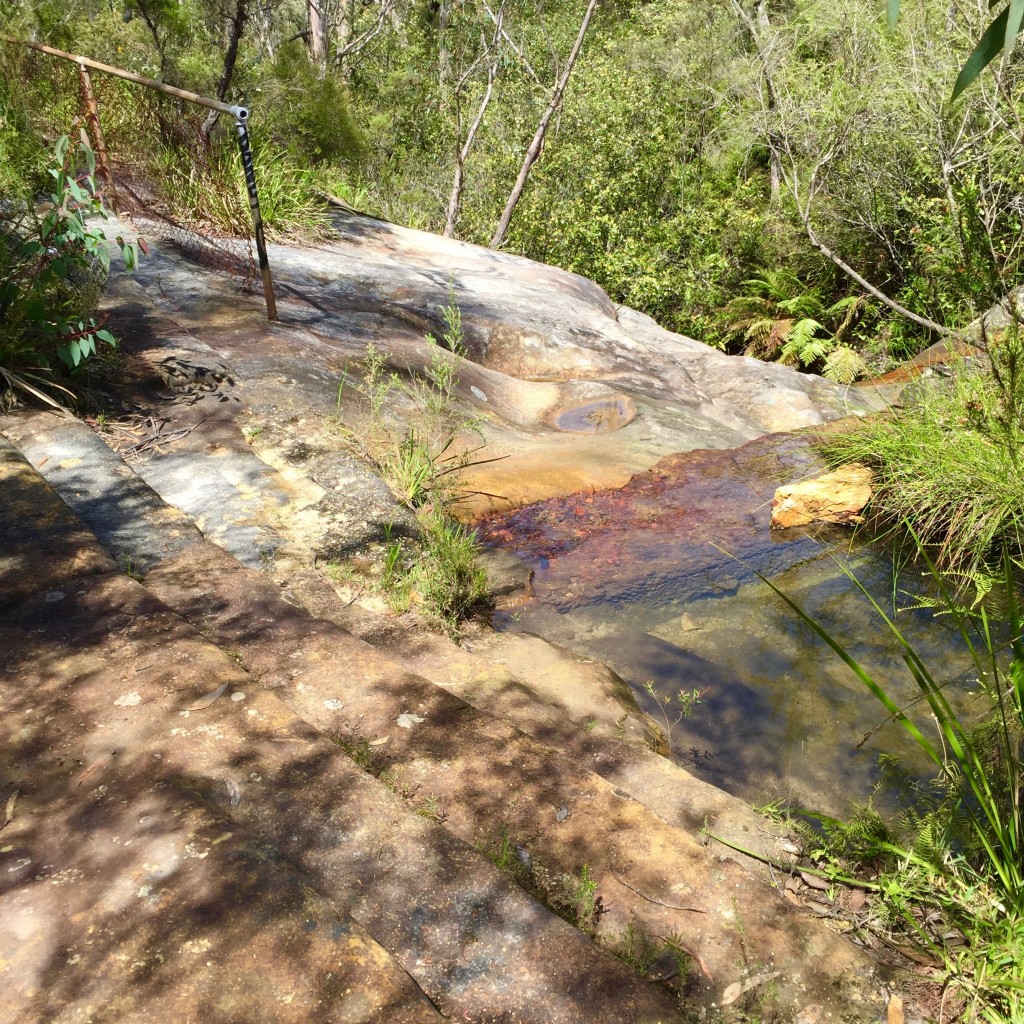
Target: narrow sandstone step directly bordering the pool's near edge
[578,707]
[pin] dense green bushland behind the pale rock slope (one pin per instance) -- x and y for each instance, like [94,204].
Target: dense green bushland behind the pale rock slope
[698,147]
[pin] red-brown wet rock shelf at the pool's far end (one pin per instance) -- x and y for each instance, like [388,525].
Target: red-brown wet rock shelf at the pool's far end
[711,507]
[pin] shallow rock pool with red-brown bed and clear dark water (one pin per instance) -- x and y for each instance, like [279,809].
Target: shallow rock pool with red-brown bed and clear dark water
[647,579]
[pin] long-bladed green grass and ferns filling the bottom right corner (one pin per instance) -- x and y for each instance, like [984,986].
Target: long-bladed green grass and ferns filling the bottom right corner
[951,873]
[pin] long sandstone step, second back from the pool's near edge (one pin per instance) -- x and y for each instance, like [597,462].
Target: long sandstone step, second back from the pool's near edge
[490,783]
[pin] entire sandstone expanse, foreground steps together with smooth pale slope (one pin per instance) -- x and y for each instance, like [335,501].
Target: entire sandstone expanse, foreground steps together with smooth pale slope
[209,693]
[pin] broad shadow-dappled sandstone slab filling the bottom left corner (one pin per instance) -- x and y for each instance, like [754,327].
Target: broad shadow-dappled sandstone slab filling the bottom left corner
[120,724]
